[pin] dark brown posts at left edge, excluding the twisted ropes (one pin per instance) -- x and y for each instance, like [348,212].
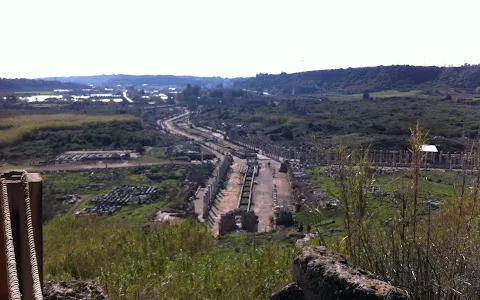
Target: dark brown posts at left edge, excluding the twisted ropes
[15,190]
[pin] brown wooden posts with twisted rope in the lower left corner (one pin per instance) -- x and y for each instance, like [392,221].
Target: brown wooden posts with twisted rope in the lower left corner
[29,276]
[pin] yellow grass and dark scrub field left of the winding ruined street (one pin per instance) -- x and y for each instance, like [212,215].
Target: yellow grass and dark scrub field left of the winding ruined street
[29,139]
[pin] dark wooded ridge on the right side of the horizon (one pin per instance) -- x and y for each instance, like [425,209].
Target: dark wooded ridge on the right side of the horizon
[356,80]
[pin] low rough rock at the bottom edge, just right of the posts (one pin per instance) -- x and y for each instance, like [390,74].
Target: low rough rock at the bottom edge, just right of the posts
[73,290]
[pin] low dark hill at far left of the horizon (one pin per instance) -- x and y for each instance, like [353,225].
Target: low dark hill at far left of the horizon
[22,84]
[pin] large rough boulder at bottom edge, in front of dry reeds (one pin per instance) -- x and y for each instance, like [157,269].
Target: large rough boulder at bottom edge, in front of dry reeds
[321,274]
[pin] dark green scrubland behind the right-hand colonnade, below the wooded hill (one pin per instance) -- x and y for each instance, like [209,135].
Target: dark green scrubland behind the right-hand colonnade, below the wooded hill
[380,124]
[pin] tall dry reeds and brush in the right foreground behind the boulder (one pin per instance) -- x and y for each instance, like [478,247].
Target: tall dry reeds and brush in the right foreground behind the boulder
[433,254]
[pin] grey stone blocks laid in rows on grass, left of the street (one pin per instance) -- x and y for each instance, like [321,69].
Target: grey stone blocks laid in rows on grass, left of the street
[120,196]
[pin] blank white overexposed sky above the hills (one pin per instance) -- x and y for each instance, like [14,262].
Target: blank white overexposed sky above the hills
[231,38]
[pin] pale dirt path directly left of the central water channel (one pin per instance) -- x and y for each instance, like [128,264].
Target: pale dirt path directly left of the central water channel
[227,199]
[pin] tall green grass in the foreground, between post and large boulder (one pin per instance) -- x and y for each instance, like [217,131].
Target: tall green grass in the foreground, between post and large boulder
[163,262]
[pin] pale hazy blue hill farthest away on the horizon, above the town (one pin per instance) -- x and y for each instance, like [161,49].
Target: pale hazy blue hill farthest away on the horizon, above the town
[138,80]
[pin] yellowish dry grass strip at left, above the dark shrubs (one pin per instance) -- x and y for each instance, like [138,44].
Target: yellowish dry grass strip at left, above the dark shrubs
[14,128]
